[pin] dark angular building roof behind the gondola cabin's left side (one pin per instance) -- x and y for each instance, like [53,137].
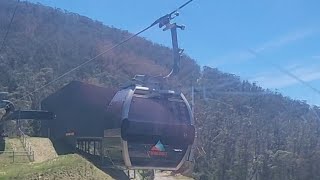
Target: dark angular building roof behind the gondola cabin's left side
[79,107]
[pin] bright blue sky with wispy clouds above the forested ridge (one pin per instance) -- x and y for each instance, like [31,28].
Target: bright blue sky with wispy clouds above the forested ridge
[221,33]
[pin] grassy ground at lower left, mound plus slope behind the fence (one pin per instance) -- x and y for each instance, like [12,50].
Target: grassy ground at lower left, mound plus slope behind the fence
[63,167]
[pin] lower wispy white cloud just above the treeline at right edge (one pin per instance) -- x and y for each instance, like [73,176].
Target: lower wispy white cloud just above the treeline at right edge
[280,80]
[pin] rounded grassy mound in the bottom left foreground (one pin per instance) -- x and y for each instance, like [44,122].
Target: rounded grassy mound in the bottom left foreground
[63,167]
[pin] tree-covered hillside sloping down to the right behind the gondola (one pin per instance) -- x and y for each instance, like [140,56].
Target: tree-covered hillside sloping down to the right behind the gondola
[244,131]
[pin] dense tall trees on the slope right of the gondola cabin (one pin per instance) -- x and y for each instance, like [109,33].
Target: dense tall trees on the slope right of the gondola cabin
[263,137]
